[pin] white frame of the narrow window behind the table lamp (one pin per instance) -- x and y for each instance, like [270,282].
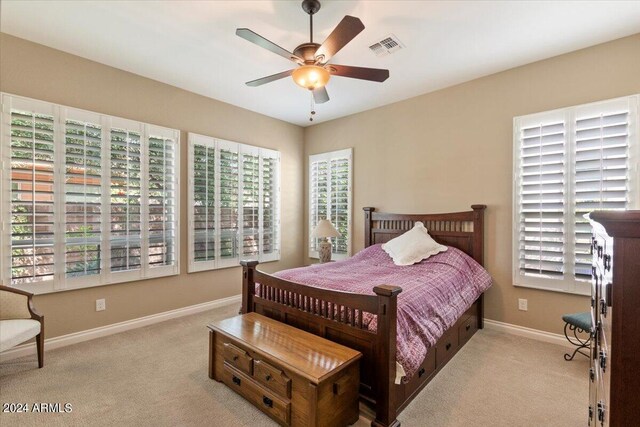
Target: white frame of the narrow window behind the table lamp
[346,153]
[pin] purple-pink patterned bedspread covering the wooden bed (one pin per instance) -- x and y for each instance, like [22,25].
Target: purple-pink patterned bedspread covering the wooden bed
[435,292]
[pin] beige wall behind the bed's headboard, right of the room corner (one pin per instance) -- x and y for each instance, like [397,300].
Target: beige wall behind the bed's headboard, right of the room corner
[446,150]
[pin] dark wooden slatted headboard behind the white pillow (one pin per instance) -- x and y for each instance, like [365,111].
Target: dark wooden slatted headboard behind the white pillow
[462,230]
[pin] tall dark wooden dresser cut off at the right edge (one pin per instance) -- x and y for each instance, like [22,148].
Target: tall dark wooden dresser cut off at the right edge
[614,376]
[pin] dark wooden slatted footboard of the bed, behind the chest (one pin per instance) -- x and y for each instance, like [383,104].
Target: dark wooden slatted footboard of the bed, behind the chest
[337,316]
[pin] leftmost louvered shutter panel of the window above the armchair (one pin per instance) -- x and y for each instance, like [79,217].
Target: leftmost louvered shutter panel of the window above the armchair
[32,192]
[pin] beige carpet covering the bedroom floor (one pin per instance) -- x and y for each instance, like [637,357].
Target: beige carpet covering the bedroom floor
[157,376]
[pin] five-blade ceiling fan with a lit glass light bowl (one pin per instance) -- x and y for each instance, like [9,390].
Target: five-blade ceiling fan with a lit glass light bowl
[313,70]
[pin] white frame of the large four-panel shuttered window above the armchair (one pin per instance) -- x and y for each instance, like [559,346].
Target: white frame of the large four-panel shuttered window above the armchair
[60,281]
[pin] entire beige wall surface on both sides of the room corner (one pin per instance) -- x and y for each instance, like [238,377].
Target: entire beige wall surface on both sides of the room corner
[437,152]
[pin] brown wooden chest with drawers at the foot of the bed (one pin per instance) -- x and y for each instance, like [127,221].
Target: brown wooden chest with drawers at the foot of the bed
[297,378]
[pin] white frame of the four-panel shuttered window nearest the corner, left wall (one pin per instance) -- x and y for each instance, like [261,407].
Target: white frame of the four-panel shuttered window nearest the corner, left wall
[217,144]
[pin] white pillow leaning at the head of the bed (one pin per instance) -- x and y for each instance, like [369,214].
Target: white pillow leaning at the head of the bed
[412,246]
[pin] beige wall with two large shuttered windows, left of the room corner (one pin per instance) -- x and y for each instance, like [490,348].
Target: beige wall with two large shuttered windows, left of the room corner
[39,72]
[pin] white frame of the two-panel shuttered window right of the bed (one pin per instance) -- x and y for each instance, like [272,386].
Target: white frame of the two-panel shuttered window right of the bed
[570,116]
